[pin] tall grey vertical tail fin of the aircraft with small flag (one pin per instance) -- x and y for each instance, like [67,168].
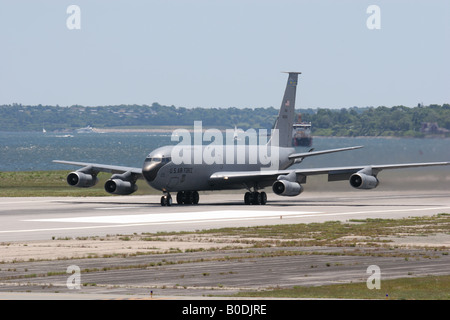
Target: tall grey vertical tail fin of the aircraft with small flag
[286,116]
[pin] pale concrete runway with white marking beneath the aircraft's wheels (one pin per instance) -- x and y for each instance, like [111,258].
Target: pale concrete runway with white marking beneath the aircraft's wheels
[24,219]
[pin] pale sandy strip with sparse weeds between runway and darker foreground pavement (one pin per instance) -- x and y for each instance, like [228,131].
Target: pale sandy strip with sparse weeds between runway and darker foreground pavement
[135,245]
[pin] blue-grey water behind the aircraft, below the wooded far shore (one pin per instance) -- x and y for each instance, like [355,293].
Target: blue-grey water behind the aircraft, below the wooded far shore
[27,151]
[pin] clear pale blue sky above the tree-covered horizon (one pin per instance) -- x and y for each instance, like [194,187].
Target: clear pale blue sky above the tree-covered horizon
[224,53]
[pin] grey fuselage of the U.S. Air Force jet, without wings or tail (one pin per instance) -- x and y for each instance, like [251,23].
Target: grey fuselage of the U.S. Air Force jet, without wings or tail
[188,168]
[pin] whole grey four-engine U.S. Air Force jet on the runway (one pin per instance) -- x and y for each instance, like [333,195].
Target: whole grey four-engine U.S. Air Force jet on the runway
[188,168]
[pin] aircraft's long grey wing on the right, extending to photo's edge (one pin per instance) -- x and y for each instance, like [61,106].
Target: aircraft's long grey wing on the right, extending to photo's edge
[334,173]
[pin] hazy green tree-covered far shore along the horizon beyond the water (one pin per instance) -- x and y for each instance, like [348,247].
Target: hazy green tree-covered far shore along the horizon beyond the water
[369,121]
